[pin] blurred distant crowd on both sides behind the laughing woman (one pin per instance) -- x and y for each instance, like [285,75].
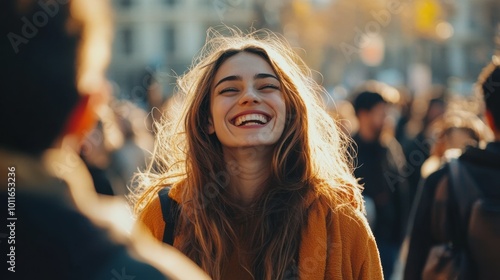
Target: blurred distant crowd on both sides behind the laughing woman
[399,138]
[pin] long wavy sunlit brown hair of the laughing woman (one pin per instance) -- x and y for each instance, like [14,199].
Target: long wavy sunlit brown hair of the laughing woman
[310,155]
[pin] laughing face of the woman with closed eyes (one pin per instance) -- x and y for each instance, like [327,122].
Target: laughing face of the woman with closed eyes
[247,106]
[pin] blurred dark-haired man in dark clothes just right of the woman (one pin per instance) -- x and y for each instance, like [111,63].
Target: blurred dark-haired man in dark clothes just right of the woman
[379,166]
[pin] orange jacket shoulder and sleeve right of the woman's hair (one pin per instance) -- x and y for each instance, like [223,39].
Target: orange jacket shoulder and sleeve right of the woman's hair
[343,225]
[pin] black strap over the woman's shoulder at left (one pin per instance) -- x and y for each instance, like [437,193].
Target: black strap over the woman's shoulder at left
[169,209]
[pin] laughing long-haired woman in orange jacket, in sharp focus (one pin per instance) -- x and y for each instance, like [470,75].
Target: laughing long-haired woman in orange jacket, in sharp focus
[258,170]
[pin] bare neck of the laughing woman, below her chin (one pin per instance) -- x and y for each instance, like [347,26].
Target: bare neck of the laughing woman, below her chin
[249,169]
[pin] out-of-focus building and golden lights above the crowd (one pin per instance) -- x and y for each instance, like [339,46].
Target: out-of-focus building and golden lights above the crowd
[411,43]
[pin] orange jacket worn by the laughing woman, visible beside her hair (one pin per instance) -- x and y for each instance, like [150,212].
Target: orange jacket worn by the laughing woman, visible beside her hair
[336,246]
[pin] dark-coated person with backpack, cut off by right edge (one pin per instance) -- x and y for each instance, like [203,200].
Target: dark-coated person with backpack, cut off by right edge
[435,220]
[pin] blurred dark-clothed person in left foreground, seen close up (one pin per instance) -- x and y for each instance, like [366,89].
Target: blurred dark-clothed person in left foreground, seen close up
[52,62]
